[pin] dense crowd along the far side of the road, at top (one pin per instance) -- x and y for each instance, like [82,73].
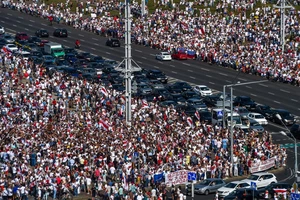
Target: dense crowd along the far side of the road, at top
[227,37]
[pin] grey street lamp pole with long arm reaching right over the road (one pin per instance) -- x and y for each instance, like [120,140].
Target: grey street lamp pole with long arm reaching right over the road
[231,112]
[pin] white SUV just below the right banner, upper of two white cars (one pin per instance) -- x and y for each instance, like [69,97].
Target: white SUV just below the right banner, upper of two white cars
[262,179]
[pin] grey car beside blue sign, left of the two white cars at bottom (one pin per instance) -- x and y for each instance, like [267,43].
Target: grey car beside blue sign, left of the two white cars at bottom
[207,186]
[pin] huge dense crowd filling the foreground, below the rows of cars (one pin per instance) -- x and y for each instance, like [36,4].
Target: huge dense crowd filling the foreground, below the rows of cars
[57,131]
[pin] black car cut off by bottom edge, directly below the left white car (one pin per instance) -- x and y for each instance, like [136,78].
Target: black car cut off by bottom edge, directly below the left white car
[244,194]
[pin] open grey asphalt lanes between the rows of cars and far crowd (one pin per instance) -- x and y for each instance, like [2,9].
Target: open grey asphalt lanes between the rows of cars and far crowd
[277,95]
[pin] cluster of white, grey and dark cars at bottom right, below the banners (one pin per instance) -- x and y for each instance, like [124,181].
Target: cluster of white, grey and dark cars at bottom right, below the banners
[266,185]
